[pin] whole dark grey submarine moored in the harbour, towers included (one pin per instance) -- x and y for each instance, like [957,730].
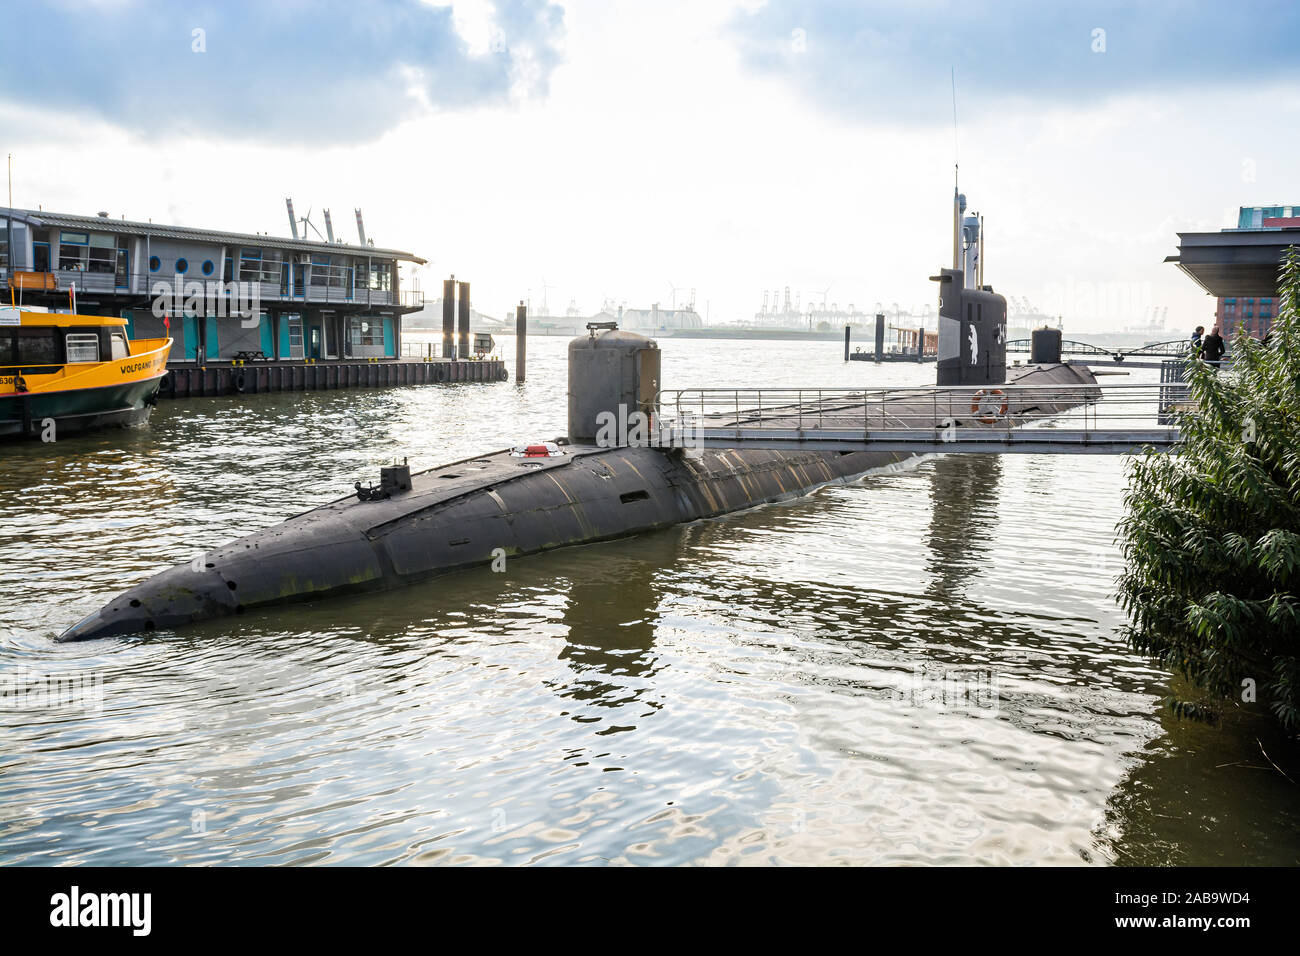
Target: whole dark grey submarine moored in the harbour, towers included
[578,490]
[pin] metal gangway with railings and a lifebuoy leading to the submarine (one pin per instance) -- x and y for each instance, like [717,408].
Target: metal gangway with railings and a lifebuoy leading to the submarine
[1037,419]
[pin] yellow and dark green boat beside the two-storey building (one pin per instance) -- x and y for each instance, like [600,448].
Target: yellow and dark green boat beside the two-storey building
[63,374]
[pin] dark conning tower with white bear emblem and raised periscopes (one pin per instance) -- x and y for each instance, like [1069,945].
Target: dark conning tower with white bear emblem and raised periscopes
[972,317]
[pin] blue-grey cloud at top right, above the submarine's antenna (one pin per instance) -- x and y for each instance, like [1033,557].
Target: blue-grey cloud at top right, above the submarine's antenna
[891,60]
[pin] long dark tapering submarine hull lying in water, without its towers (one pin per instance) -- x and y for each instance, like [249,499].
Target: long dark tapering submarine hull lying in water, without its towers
[478,511]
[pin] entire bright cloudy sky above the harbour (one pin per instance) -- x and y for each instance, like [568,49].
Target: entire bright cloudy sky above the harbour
[618,149]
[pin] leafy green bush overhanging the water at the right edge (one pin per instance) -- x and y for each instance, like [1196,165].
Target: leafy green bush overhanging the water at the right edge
[1212,534]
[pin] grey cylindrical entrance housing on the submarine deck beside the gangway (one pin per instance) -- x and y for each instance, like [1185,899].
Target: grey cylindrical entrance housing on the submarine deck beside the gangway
[614,374]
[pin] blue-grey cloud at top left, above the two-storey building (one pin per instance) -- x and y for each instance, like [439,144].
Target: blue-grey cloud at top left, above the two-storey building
[309,71]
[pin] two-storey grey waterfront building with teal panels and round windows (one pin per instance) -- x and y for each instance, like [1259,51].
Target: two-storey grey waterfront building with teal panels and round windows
[223,296]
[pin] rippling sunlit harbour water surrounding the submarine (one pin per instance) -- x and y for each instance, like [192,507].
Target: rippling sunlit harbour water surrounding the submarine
[918,668]
